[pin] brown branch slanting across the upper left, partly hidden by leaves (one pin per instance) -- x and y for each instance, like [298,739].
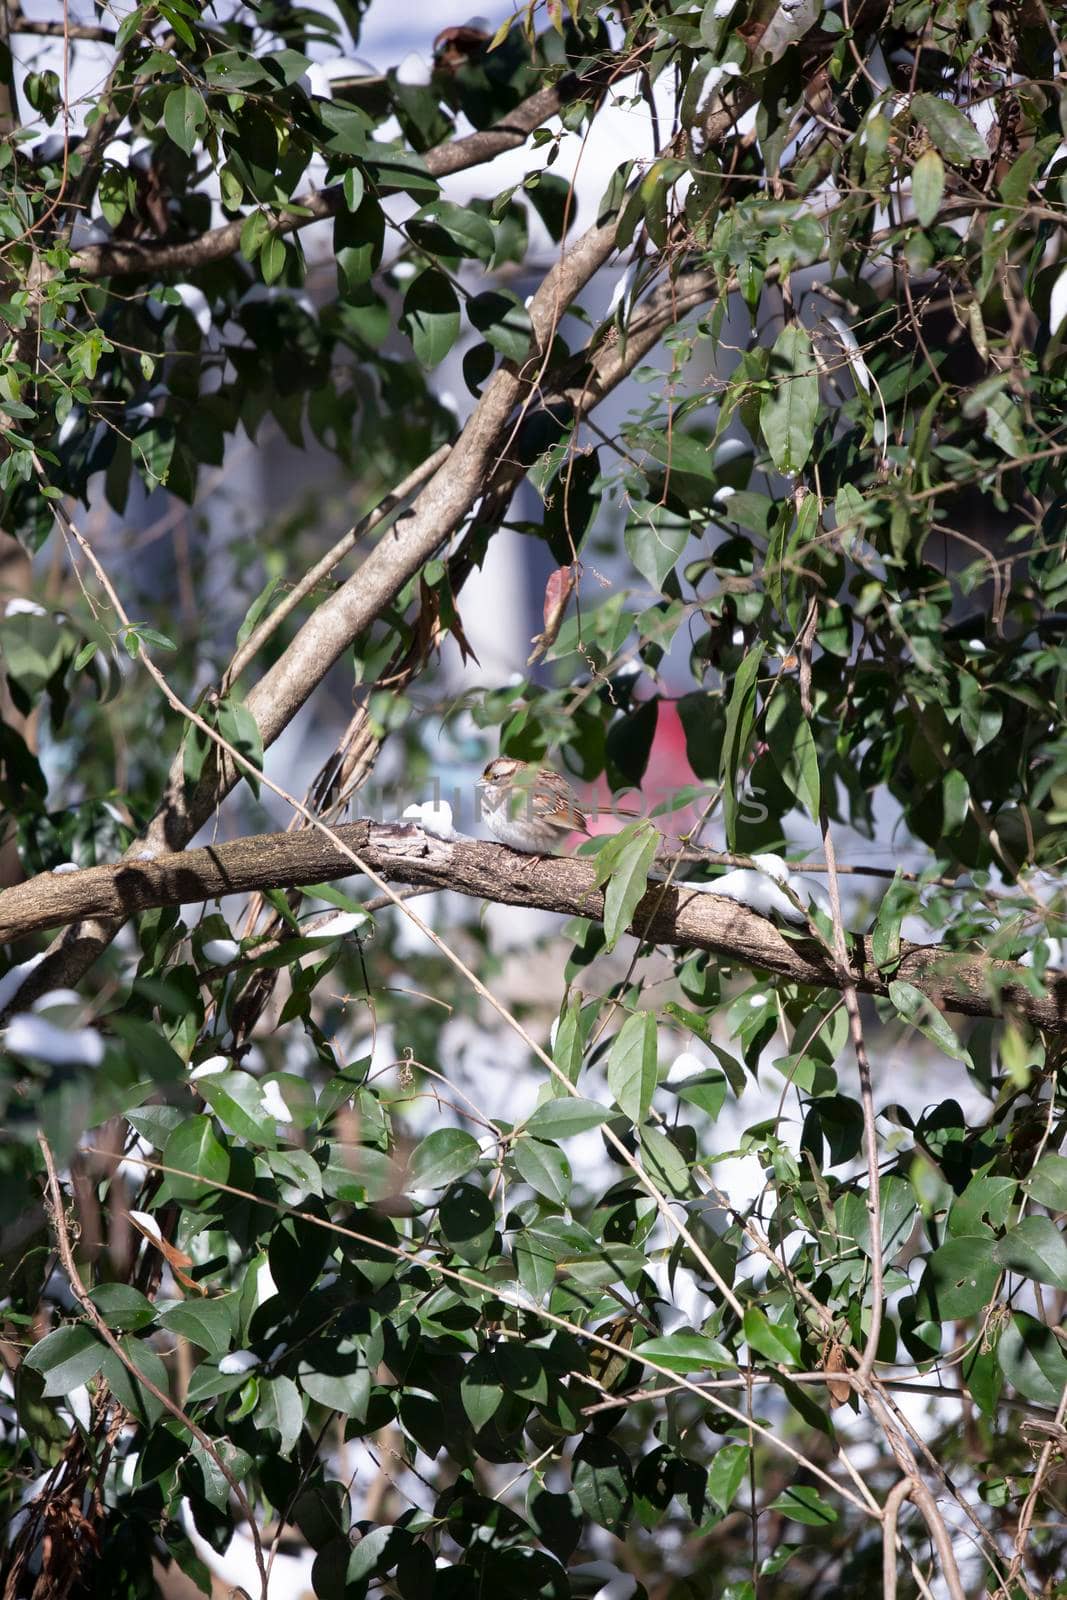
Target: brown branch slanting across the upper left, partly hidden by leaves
[142,257]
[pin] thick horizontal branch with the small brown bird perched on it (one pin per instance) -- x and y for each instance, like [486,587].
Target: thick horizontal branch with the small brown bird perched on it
[679,916]
